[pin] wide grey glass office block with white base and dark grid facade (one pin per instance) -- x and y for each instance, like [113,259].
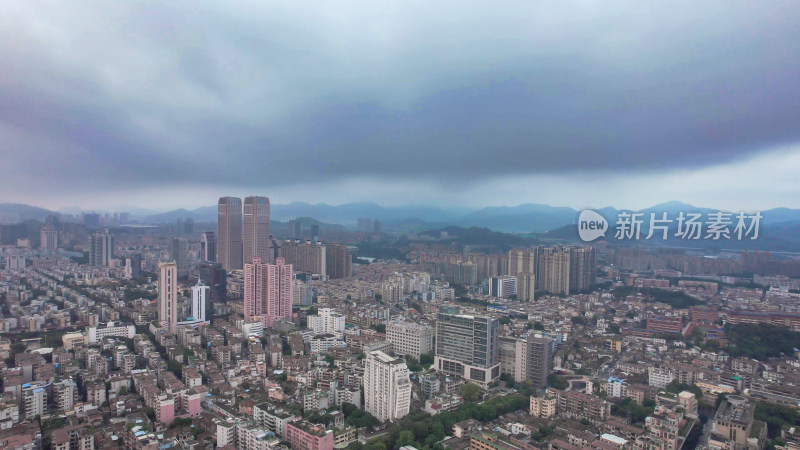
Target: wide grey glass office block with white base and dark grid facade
[467,346]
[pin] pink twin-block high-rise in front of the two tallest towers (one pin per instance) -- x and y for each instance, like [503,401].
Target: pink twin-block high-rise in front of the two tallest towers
[267,291]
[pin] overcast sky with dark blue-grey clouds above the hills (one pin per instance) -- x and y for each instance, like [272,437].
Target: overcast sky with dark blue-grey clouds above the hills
[475,103]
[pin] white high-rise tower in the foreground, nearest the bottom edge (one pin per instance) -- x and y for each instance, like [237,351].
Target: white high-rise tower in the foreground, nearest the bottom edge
[387,387]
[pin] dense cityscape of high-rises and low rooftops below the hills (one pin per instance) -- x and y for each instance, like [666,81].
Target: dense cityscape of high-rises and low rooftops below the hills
[253,334]
